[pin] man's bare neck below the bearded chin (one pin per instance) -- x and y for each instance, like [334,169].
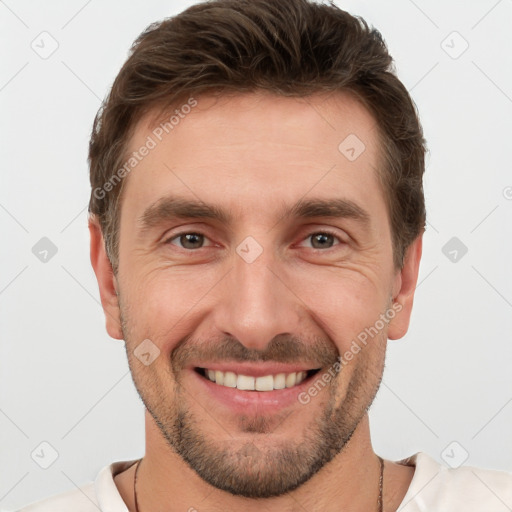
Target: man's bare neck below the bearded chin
[349,482]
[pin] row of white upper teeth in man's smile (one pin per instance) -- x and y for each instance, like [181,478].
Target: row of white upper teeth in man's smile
[265,383]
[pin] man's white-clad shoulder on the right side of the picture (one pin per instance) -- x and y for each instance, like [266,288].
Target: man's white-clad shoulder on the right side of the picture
[442,488]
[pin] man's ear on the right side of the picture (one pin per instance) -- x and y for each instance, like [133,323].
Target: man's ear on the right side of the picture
[404,288]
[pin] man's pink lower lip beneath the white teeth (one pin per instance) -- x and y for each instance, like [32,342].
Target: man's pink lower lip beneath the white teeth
[246,402]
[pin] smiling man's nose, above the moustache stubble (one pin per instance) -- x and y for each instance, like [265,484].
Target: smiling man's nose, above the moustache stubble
[256,302]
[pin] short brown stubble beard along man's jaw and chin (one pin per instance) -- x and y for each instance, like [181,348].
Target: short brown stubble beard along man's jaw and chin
[262,467]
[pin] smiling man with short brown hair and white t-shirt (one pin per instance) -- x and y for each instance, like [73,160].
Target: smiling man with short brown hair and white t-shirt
[256,226]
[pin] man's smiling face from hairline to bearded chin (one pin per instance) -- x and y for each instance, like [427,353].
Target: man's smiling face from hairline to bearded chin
[255,250]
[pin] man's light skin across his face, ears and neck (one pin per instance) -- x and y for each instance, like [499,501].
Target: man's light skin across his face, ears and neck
[252,154]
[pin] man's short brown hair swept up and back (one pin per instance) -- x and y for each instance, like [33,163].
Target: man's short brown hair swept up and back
[287,47]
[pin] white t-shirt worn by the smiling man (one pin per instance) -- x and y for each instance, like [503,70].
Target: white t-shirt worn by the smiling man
[434,488]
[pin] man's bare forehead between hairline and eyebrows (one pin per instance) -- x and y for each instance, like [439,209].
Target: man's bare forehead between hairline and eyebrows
[255,151]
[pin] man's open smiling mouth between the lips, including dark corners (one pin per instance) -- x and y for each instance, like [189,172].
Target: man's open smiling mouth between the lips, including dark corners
[261,383]
